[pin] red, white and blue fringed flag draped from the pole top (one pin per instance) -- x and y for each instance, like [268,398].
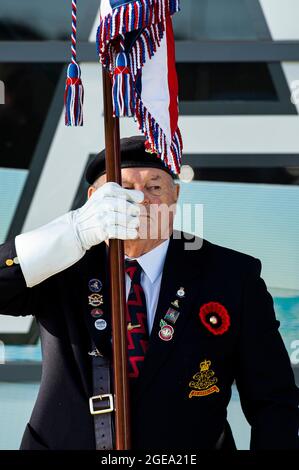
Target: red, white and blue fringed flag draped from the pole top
[135,43]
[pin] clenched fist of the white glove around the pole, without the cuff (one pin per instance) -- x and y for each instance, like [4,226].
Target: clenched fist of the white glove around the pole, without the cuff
[110,212]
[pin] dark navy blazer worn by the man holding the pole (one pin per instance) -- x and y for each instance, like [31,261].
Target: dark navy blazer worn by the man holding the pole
[226,331]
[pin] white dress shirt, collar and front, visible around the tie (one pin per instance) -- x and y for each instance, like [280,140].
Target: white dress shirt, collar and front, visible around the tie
[152,264]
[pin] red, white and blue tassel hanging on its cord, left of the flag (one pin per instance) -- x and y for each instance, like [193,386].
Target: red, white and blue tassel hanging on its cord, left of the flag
[74,93]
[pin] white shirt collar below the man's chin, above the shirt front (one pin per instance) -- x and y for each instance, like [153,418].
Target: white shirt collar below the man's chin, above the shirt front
[152,262]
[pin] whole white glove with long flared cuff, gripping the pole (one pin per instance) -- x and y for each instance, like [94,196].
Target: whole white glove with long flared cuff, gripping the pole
[110,212]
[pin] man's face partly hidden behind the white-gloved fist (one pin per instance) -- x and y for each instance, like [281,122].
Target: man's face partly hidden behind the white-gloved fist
[160,197]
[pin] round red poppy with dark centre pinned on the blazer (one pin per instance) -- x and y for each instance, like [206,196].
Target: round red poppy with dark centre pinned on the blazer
[215,318]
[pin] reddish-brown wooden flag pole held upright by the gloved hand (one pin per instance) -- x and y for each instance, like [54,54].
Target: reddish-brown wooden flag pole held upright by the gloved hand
[117,286]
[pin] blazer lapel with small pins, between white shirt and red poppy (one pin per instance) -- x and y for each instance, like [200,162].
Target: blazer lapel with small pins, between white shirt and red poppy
[180,267]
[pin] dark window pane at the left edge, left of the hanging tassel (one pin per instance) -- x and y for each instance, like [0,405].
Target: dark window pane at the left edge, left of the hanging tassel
[29,90]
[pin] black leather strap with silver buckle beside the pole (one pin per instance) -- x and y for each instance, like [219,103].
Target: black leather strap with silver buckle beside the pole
[101,404]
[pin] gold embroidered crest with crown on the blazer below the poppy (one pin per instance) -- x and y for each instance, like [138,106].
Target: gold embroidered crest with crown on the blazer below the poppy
[203,381]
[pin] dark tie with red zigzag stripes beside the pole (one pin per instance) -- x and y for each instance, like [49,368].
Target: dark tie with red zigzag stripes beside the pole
[137,333]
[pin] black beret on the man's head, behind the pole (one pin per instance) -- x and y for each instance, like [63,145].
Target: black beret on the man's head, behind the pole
[133,154]
